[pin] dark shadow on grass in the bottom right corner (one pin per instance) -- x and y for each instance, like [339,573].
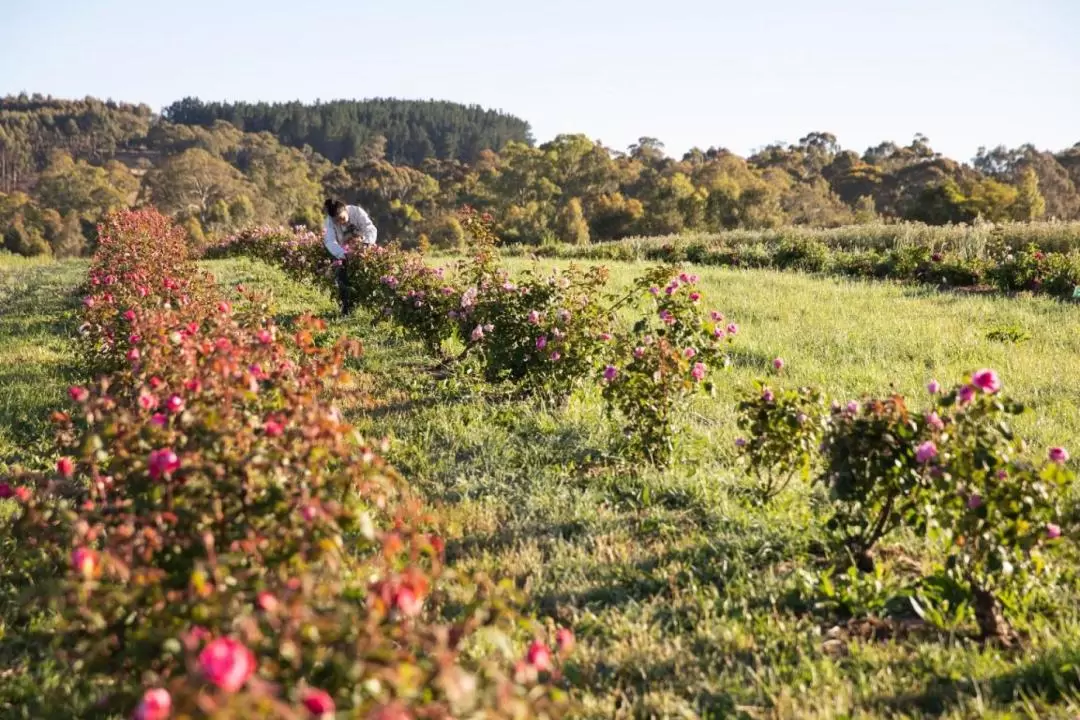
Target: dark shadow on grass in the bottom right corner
[1056,677]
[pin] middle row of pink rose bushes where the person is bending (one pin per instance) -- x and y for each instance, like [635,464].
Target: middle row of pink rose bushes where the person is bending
[548,331]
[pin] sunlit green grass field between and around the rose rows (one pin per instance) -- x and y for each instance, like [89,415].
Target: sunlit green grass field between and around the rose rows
[688,600]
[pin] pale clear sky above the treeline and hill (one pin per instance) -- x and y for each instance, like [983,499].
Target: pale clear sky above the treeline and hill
[691,73]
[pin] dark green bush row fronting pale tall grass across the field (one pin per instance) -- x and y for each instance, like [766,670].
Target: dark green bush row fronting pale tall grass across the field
[1028,269]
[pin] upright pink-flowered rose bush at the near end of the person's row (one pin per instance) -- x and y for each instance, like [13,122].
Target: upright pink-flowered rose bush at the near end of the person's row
[670,354]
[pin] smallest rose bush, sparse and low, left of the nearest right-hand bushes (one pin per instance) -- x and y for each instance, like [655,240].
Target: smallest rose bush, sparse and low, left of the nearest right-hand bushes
[782,432]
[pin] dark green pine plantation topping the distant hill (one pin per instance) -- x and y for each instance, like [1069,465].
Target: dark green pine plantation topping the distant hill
[404,132]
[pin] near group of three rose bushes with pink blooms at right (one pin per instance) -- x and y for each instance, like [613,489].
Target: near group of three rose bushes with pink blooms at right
[954,471]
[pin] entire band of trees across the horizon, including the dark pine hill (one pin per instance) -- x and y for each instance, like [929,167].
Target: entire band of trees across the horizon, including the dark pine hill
[64,164]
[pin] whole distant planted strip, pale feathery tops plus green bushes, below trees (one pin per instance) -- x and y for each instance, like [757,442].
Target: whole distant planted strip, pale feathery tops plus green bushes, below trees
[1043,257]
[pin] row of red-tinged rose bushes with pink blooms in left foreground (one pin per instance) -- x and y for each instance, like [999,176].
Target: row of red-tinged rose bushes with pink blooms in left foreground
[235,549]
